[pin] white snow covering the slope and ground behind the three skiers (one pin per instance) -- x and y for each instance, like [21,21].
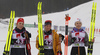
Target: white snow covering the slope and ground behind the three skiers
[82,11]
